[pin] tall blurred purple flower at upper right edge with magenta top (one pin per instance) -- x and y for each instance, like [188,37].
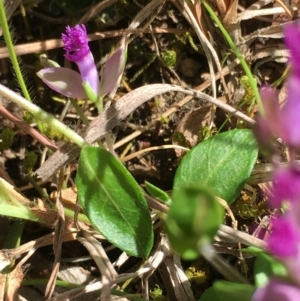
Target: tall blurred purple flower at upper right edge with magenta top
[283,122]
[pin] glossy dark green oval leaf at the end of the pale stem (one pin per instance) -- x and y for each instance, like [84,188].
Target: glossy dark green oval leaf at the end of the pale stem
[114,202]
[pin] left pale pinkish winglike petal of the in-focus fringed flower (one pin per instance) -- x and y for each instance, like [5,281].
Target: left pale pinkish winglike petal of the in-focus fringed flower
[64,81]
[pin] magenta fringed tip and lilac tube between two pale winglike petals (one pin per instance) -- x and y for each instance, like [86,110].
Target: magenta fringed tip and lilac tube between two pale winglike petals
[77,50]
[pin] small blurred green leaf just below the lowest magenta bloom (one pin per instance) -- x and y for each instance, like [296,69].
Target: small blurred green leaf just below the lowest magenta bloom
[266,267]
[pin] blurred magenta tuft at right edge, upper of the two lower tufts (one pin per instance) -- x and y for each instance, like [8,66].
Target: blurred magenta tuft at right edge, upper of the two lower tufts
[286,186]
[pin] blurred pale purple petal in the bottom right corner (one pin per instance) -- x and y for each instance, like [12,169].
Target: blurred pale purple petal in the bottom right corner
[277,290]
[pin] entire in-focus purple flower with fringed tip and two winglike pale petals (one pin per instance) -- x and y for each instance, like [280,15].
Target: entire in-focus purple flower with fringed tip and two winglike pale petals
[68,82]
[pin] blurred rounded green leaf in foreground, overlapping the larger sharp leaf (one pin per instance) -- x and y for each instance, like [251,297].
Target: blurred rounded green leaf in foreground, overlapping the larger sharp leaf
[193,219]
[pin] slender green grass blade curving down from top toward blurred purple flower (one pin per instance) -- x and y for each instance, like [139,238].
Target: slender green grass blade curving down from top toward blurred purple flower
[244,64]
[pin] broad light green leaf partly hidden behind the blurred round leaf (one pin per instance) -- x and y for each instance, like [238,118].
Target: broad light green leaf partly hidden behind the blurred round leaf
[223,163]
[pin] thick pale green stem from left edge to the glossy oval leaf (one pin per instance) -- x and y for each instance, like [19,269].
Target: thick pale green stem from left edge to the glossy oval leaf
[42,116]
